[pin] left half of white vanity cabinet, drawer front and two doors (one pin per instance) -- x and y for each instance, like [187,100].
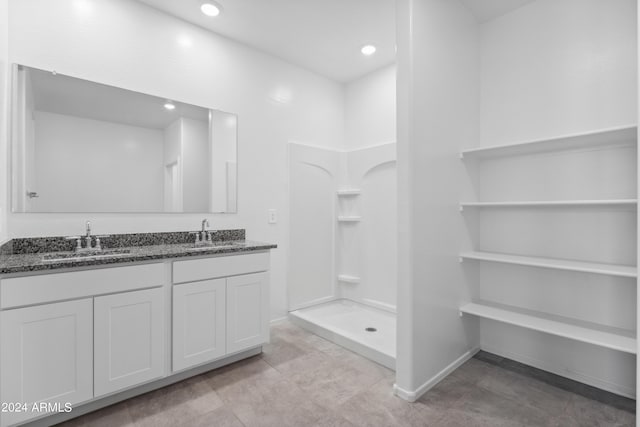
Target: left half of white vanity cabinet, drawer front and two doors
[69,337]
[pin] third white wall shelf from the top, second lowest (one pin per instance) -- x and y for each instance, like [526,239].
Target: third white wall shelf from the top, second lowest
[558,264]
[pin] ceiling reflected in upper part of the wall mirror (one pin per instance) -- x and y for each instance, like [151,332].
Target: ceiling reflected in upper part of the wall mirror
[56,93]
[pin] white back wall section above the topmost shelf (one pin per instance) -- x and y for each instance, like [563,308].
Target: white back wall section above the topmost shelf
[558,67]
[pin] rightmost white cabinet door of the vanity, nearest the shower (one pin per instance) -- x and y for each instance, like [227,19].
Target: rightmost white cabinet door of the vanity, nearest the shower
[247,311]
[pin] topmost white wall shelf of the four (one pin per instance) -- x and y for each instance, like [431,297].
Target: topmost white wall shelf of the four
[607,137]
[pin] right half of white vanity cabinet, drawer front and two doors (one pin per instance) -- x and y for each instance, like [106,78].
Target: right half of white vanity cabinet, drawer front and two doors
[220,307]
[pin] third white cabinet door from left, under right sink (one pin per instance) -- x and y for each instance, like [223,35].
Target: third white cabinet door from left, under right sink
[198,322]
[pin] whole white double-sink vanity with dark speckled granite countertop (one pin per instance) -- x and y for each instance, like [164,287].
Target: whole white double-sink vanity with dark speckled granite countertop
[79,333]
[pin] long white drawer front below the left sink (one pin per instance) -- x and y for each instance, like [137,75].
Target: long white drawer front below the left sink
[30,290]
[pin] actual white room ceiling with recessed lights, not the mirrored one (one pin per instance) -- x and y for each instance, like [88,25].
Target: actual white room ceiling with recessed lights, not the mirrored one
[323,36]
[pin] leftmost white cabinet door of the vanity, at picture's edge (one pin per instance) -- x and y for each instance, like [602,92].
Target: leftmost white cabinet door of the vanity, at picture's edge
[46,356]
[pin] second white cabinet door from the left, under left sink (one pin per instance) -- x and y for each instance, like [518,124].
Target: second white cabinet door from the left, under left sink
[129,339]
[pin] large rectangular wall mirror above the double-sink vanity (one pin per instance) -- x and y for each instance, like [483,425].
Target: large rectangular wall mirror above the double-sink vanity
[81,146]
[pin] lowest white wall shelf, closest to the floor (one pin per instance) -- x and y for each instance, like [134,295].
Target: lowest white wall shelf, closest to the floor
[613,338]
